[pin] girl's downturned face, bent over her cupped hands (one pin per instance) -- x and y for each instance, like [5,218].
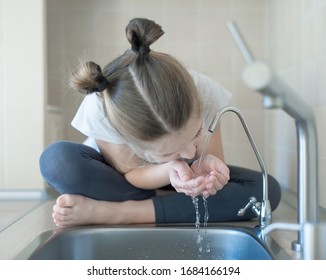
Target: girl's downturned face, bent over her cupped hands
[181,144]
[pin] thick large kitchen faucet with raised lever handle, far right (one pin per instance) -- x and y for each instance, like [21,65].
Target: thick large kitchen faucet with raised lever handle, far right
[277,95]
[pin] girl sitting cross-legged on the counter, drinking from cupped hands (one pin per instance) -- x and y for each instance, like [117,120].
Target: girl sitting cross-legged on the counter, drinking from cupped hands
[146,118]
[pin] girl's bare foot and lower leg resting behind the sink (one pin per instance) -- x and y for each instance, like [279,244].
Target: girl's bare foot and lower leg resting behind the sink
[75,210]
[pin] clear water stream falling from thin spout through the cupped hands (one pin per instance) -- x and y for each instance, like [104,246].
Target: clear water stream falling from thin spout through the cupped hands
[202,241]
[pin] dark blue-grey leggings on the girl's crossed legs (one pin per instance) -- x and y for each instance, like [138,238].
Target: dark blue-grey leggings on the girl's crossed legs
[72,168]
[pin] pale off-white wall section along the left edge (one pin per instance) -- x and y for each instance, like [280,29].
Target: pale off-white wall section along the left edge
[22,91]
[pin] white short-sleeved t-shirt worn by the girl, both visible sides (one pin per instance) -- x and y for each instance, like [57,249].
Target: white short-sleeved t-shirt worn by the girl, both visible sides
[91,119]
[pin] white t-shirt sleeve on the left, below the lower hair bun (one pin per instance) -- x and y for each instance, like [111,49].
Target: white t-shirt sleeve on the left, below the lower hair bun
[91,120]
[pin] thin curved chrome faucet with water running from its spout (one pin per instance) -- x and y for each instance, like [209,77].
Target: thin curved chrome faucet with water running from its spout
[261,209]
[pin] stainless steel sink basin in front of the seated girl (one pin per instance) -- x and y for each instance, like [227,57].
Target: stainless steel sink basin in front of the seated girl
[148,242]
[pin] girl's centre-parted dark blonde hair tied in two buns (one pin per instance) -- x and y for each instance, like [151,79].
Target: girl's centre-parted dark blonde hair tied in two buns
[147,94]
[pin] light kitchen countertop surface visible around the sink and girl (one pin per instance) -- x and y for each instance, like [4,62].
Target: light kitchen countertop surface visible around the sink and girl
[17,235]
